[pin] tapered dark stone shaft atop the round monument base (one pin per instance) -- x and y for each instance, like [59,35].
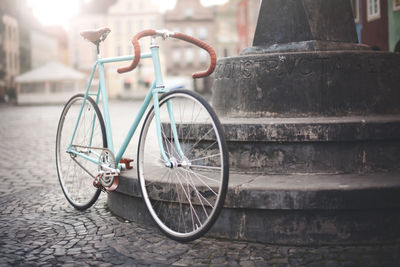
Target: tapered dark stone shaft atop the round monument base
[290,21]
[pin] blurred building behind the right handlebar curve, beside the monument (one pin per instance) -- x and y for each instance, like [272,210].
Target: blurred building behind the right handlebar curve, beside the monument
[191,18]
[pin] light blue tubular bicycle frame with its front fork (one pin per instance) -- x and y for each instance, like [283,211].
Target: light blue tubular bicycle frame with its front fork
[157,87]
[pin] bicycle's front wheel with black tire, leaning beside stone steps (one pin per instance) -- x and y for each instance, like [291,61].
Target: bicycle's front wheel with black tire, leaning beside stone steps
[185,198]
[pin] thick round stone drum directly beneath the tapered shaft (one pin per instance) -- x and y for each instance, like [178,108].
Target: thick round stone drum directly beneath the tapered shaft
[330,83]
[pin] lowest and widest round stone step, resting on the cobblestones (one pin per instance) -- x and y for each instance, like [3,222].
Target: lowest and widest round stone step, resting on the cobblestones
[293,209]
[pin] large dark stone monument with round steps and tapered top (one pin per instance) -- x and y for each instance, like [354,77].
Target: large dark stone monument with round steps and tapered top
[313,124]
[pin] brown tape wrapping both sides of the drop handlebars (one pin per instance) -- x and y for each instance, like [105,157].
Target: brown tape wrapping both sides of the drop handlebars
[181,36]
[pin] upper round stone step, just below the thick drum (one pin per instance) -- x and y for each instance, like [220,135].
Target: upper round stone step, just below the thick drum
[350,144]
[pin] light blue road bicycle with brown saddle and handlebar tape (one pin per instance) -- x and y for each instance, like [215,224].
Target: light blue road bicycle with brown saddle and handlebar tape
[184,182]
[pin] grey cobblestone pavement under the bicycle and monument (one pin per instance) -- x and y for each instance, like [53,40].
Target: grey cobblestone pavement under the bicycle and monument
[39,228]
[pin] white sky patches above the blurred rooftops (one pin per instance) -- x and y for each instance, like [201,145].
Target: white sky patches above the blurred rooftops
[58,12]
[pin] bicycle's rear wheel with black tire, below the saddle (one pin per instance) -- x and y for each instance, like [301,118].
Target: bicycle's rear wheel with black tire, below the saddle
[76,183]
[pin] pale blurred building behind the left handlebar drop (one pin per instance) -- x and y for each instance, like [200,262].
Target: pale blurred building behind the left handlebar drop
[126,18]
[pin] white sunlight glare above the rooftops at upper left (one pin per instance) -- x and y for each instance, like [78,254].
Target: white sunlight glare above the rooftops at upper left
[54,12]
